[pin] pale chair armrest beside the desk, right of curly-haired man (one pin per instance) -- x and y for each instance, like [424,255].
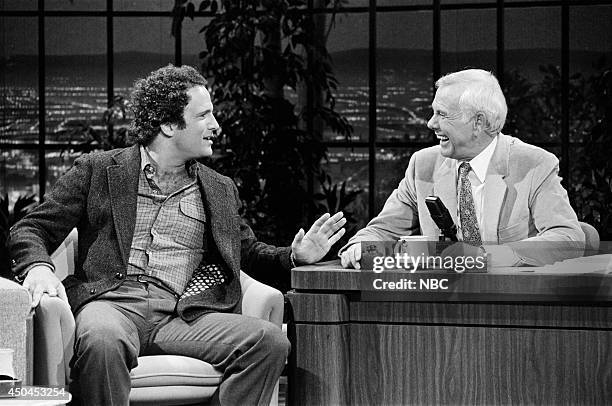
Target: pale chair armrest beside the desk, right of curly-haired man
[261,301]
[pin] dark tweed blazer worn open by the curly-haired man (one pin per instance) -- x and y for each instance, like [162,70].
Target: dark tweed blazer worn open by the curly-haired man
[98,195]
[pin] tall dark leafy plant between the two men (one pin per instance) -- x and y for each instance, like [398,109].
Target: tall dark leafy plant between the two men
[272,85]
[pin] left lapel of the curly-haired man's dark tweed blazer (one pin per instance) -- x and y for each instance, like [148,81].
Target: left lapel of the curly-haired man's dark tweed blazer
[123,190]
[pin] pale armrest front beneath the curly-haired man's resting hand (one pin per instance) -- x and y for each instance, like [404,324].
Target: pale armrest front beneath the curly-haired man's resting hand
[53,341]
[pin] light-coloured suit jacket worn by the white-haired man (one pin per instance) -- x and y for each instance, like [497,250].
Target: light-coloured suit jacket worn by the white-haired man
[525,207]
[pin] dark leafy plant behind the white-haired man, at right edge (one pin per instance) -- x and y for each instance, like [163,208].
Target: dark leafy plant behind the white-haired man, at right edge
[535,114]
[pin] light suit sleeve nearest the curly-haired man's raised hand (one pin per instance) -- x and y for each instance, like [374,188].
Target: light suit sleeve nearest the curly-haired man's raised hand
[399,215]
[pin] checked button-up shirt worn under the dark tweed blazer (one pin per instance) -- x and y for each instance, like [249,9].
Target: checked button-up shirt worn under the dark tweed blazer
[170,229]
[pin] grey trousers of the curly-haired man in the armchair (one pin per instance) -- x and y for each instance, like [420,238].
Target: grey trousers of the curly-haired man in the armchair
[139,318]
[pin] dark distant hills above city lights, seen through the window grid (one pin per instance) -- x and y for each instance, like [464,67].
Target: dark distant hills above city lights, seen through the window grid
[90,70]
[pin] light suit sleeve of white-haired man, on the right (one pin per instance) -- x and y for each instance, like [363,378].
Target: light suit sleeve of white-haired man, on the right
[559,235]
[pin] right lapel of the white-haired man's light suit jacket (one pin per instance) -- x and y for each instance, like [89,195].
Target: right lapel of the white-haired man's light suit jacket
[495,189]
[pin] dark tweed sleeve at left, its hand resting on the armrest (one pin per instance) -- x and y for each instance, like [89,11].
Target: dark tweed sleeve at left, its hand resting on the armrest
[38,234]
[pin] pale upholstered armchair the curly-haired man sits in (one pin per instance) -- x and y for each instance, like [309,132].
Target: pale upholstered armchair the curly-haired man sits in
[158,379]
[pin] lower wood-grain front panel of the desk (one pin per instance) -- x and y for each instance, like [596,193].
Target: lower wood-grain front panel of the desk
[452,365]
